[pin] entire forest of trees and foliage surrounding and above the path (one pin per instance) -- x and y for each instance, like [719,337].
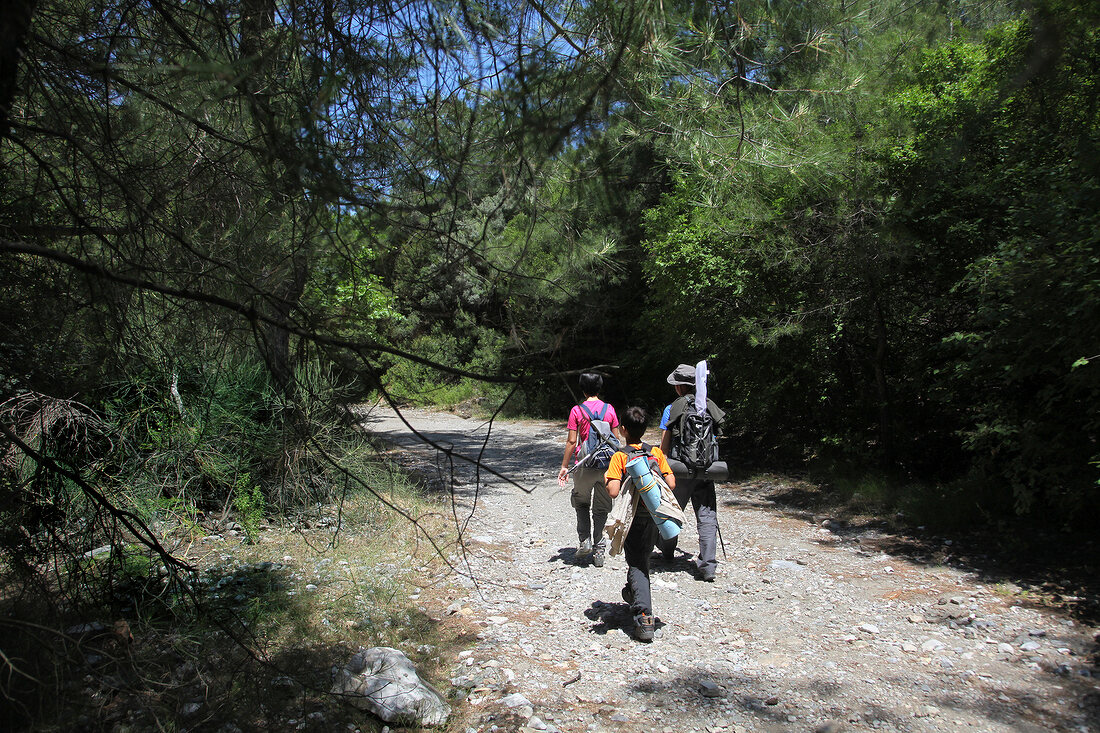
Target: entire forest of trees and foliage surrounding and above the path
[877,221]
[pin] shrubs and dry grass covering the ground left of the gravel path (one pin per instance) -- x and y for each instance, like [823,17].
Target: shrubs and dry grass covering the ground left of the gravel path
[168,570]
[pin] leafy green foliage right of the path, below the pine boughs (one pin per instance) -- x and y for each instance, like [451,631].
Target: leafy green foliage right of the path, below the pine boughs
[917,291]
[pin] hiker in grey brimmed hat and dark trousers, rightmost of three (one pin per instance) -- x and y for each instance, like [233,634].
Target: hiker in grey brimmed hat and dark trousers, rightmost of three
[701,493]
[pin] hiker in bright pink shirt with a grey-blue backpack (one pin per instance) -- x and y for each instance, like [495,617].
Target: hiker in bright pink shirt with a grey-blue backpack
[589,497]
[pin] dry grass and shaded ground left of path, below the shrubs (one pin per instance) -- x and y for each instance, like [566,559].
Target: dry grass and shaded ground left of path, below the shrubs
[255,647]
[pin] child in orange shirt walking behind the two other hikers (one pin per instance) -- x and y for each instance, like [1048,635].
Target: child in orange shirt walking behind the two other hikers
[643,534]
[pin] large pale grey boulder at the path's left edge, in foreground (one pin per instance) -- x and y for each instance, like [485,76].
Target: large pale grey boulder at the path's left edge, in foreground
[384,682]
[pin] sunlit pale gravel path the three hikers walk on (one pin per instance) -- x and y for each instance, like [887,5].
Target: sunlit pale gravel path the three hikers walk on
[809,628]
